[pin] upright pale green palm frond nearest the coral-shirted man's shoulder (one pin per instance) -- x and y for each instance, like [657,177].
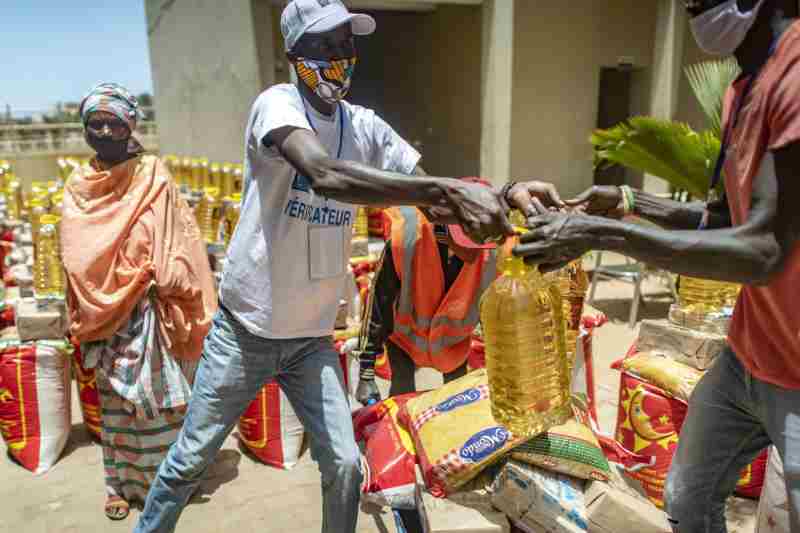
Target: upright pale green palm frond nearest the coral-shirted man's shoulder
[709,81]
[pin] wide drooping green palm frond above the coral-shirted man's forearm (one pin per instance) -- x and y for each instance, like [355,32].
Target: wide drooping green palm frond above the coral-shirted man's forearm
[669,150]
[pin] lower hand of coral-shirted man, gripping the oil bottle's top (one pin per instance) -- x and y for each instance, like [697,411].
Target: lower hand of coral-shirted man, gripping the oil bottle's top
[555,239]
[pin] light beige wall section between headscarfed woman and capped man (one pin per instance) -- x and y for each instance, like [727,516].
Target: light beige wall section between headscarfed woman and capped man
[206,72]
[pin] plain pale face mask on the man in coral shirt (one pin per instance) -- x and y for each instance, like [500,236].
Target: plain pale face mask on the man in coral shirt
[722,30]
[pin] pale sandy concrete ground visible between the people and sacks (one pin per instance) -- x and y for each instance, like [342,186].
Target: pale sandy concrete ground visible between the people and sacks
[242,496]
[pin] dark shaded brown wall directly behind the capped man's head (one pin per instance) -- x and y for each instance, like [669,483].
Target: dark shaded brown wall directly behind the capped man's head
[426,87]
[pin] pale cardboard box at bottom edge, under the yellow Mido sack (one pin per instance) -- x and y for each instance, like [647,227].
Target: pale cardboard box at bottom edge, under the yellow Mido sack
[445,516]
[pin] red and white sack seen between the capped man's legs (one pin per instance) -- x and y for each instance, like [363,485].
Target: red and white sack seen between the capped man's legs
[270,430]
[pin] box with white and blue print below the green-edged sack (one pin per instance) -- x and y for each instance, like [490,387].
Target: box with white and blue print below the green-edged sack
[538,500]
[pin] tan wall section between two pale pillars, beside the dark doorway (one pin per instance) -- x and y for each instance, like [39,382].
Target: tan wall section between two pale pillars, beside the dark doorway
[559,49]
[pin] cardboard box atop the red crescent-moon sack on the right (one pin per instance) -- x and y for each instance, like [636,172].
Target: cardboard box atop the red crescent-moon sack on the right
[694,348]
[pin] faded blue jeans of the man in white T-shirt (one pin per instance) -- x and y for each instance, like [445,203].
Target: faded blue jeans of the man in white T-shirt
[234,366]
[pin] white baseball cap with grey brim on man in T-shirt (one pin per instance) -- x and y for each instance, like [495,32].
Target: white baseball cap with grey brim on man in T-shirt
[318,16]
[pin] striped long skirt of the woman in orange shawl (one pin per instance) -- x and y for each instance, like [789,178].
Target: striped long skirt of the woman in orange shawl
[133,447]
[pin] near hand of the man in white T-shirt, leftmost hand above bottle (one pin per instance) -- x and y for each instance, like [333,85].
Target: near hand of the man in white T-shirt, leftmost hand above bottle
[480,211]
